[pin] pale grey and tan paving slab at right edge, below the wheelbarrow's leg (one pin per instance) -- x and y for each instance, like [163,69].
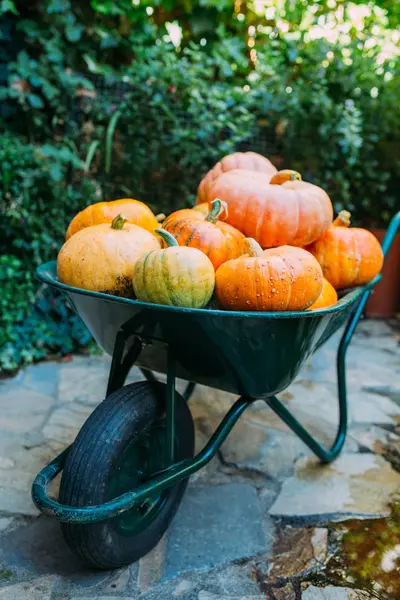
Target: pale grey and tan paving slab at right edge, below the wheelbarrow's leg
[355,485]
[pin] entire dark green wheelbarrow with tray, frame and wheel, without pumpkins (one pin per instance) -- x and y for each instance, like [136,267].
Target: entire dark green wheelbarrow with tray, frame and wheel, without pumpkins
[126,473]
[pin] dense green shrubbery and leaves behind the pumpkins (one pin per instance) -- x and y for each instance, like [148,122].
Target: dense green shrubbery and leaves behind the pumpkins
[105,99]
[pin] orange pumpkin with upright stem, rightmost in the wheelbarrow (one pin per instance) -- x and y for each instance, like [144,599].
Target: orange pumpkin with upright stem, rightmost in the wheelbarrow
[349,256]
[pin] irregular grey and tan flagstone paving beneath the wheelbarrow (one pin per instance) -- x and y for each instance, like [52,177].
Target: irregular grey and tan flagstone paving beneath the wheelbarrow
[257,523]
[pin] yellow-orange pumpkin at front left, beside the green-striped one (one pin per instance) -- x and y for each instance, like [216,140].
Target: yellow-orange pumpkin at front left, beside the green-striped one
[101,258]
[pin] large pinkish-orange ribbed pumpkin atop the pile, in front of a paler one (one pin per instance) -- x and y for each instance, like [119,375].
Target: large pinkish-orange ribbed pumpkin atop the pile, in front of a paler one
[292,213]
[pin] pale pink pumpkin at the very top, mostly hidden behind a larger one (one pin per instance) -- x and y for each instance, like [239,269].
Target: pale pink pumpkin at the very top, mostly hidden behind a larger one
[239,160]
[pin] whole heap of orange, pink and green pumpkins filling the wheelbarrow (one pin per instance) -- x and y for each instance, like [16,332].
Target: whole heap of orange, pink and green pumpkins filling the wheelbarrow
[258,240]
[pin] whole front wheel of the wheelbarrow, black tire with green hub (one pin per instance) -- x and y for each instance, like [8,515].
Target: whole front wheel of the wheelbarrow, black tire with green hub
[121,445]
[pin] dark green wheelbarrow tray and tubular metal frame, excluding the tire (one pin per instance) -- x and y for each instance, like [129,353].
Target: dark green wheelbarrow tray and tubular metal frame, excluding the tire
[255,355]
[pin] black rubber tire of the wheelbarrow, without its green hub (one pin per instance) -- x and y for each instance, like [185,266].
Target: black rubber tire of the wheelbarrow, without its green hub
[89,466]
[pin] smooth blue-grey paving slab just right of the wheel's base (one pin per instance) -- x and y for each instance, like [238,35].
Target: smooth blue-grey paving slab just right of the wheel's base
[215,525]
